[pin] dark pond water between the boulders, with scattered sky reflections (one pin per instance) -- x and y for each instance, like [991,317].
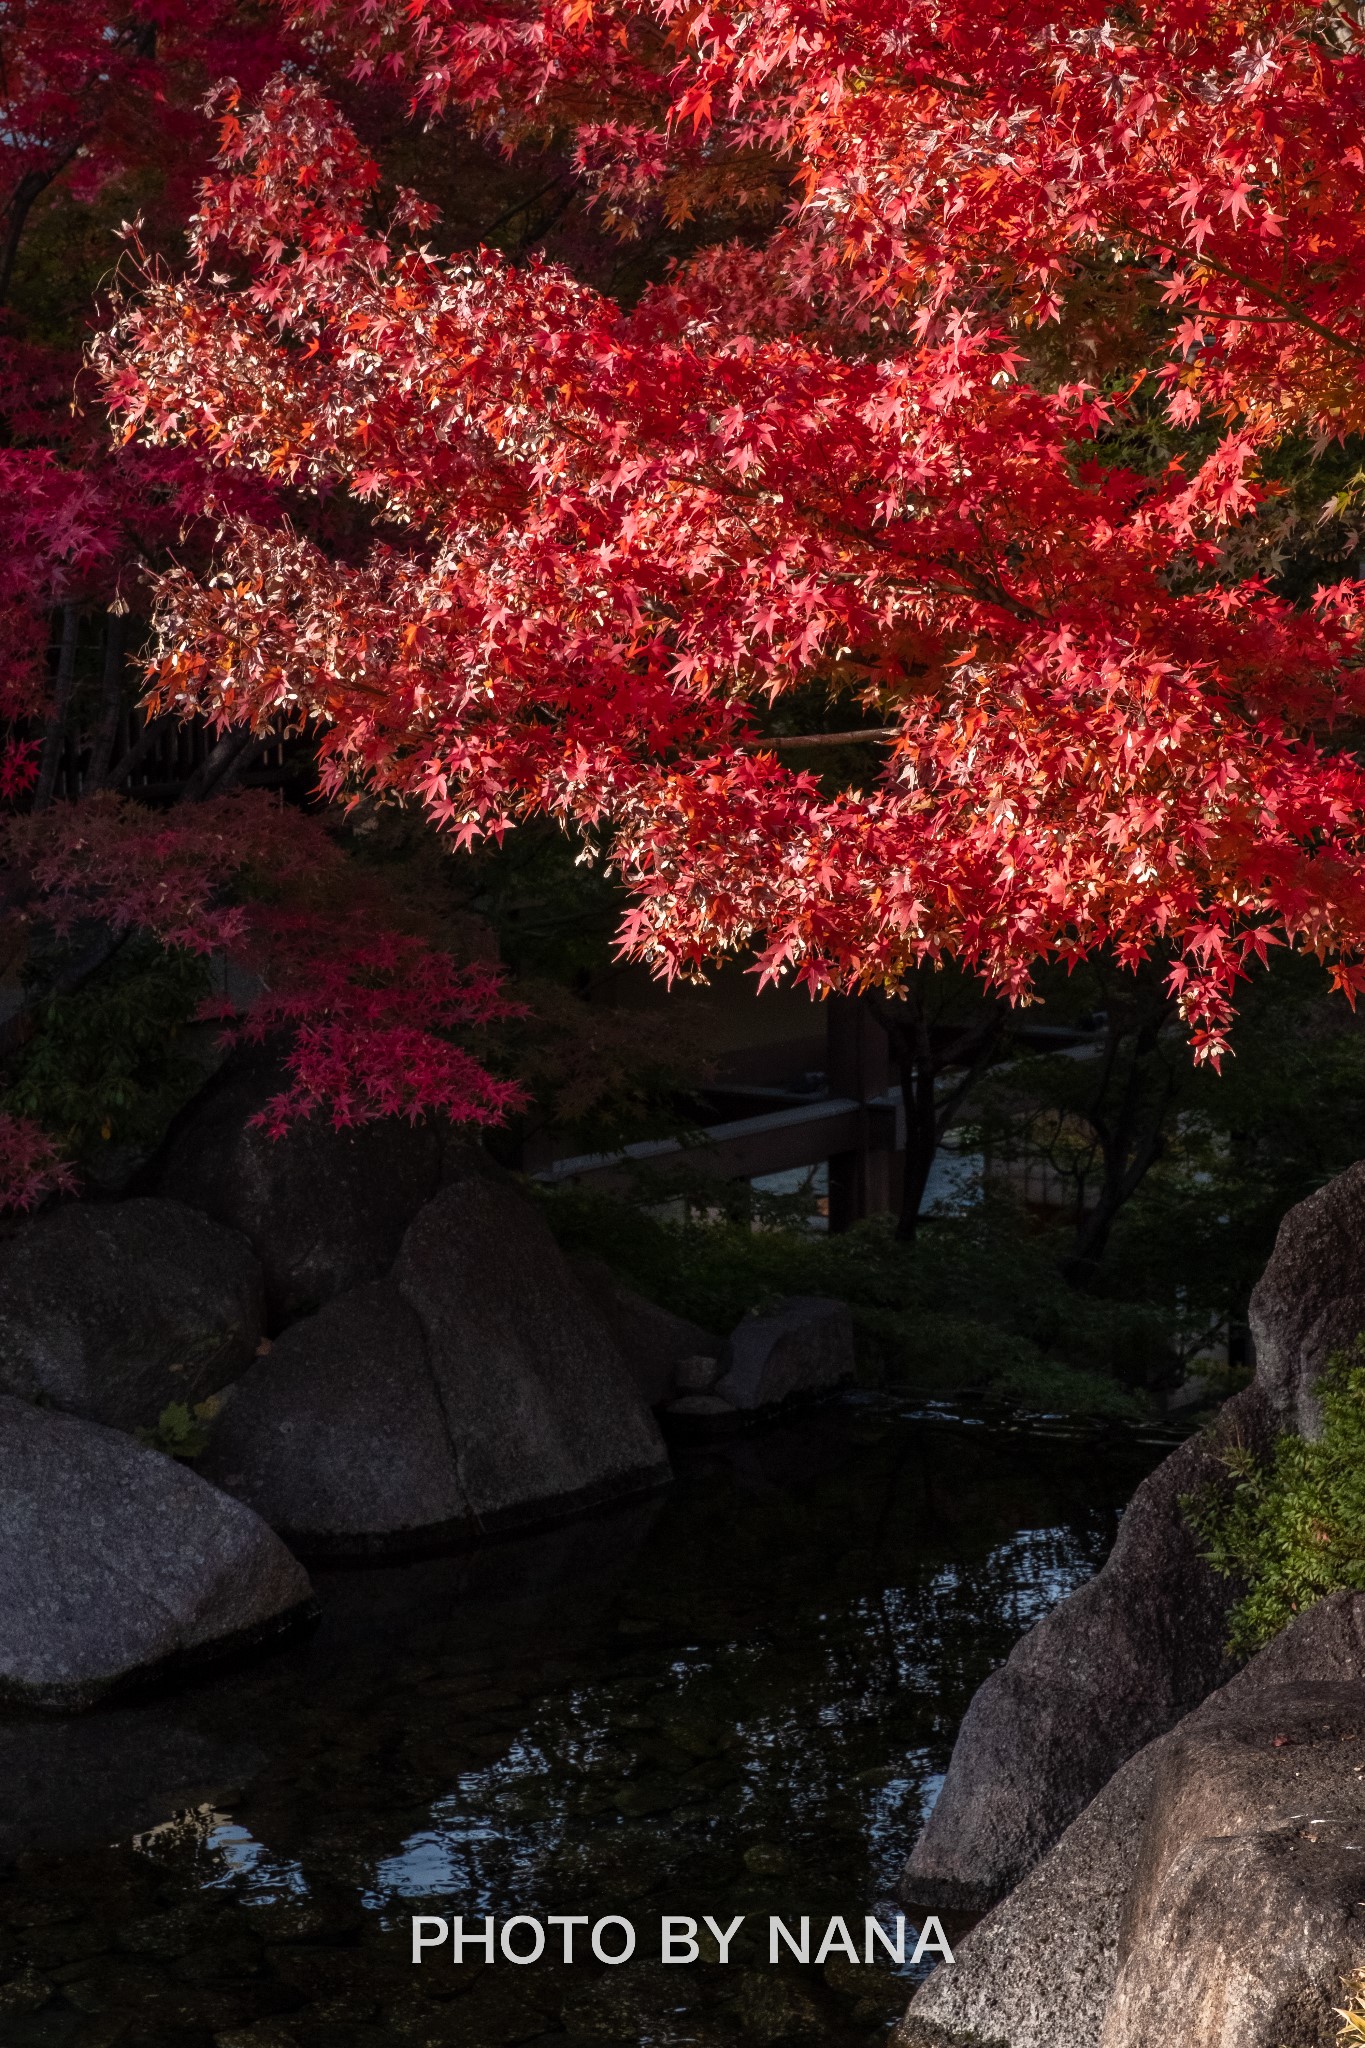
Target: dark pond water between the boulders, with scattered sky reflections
[736,1699]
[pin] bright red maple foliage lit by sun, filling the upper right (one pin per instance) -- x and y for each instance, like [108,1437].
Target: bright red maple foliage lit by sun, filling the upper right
[826,454]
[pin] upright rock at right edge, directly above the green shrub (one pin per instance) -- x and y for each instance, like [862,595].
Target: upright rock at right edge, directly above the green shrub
[1311,1299]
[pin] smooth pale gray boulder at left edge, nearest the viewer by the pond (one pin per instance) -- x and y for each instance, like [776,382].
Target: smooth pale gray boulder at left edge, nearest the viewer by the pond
[118,1564]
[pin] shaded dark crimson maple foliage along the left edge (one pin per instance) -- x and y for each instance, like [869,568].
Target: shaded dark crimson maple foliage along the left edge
[103,105]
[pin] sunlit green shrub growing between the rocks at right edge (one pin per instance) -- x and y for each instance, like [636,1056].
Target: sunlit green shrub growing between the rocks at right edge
[1292,1527]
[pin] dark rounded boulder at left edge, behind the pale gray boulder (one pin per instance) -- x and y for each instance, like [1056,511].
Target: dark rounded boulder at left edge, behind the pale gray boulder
[116,1310]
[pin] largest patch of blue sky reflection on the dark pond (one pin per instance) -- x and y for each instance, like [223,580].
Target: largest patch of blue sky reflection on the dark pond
[809,1711]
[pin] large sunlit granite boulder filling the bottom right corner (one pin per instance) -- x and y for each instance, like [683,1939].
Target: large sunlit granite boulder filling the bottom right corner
[1043,1969]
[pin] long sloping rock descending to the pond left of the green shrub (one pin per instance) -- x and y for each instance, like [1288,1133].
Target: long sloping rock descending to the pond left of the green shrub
[1116,1664]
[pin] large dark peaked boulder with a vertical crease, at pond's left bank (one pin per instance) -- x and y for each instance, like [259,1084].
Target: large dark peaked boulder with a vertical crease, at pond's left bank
[476,1390]
